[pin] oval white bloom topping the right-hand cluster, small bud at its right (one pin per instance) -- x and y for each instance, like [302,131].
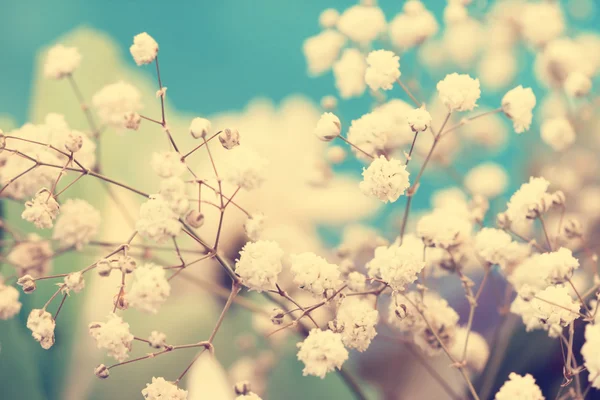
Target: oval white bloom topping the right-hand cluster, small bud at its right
[529,200]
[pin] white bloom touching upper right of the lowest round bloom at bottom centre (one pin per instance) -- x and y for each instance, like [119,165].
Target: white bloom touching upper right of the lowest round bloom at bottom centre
[358,318]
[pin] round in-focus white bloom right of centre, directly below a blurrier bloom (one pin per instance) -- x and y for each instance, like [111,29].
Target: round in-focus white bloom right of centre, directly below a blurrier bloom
[385,179]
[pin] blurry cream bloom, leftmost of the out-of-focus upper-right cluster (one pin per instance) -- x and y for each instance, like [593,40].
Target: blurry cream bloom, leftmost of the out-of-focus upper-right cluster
[322,50]
